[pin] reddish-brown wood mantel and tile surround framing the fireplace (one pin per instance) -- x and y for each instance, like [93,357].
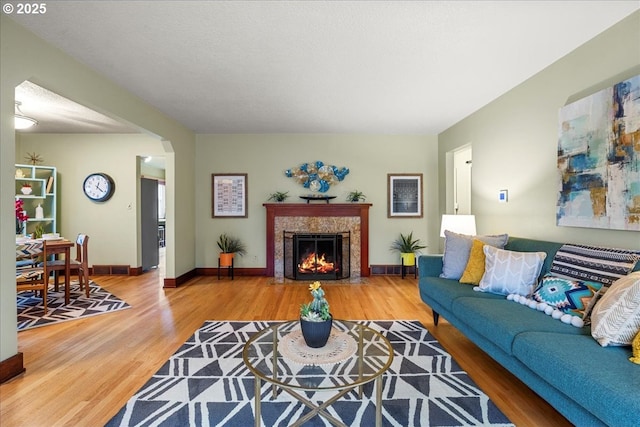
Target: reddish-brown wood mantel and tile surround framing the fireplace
[318,218]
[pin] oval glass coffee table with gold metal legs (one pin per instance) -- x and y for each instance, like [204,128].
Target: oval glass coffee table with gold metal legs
[278,355]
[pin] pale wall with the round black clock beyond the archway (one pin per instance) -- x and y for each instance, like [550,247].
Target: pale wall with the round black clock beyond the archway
[113,224]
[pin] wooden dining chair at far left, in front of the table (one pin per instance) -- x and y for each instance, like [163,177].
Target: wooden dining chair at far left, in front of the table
[33,277]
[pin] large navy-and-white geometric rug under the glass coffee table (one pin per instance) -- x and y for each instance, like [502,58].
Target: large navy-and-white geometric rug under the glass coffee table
[205,383]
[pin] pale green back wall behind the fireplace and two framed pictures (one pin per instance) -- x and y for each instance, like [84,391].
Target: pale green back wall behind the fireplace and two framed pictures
[265,158]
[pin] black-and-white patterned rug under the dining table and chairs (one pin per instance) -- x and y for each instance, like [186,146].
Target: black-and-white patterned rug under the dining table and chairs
[31,310]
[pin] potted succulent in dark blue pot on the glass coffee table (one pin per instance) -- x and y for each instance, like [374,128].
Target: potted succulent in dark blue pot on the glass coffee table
[315,319]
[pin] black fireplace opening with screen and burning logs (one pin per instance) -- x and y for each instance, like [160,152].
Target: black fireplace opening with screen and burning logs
[317,256]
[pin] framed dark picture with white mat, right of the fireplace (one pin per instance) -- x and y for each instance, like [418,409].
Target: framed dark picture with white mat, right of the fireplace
[404,195]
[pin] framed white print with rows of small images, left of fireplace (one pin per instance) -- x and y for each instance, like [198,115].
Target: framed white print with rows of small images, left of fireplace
[229,195]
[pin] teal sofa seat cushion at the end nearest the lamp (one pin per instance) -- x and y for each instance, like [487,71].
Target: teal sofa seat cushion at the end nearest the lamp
[499,320]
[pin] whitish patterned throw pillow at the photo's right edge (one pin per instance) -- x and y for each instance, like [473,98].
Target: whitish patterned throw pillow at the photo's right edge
[615,320]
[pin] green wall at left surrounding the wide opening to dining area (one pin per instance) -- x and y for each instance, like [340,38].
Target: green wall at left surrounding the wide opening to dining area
[23,56]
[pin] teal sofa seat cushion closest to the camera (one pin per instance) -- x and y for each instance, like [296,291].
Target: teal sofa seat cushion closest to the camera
[592,376]
